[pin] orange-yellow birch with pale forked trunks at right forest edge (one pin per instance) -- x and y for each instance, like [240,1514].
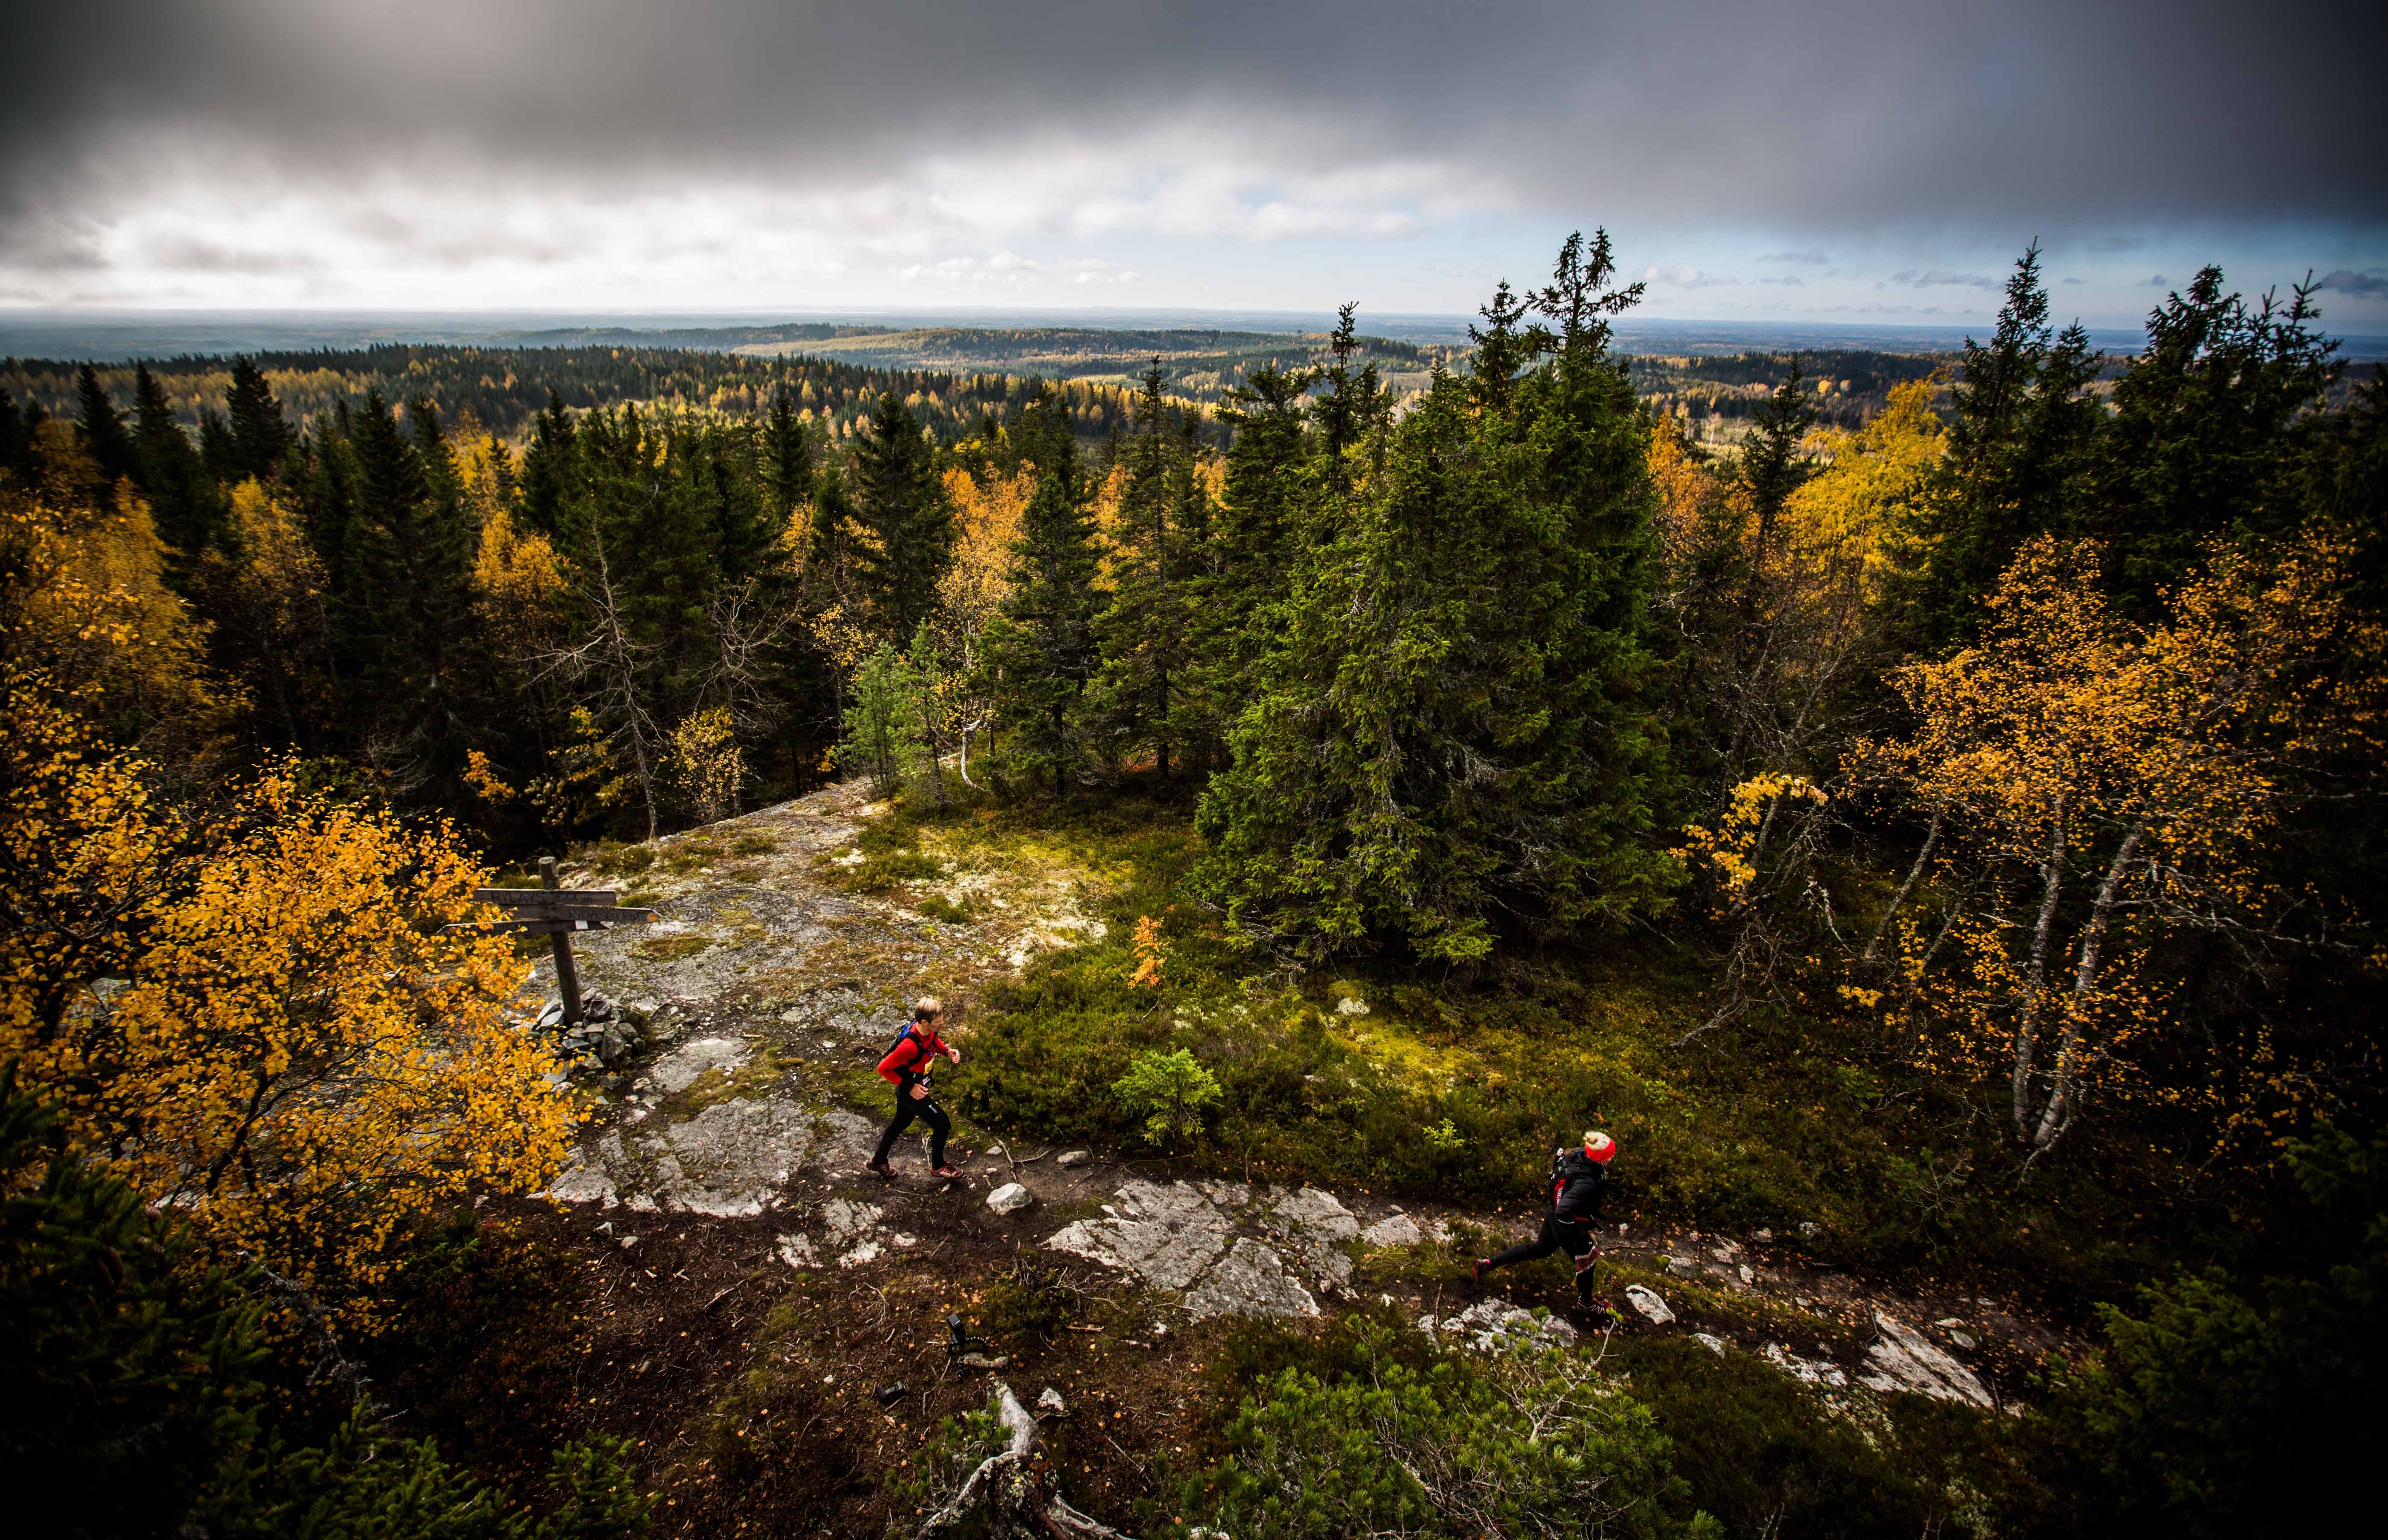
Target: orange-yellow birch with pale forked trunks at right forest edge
[2095,789]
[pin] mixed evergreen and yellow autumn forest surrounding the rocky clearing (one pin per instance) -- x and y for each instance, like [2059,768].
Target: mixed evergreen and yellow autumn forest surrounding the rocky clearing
[1998,737]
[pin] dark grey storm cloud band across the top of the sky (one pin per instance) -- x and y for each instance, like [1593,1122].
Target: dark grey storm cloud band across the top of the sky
[1818,116]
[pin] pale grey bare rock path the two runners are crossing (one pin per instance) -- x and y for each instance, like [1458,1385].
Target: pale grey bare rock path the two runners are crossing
[765,994]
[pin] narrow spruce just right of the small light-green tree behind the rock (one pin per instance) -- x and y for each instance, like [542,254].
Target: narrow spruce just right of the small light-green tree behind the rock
[1042,648]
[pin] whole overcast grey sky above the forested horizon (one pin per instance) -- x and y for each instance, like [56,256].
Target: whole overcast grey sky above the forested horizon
[1768,161]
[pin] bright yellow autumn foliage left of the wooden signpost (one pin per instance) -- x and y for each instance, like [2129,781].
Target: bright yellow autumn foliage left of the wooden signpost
[252,1014]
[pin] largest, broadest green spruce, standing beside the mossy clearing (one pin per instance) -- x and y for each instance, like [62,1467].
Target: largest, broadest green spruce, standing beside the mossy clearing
[1458,739]
